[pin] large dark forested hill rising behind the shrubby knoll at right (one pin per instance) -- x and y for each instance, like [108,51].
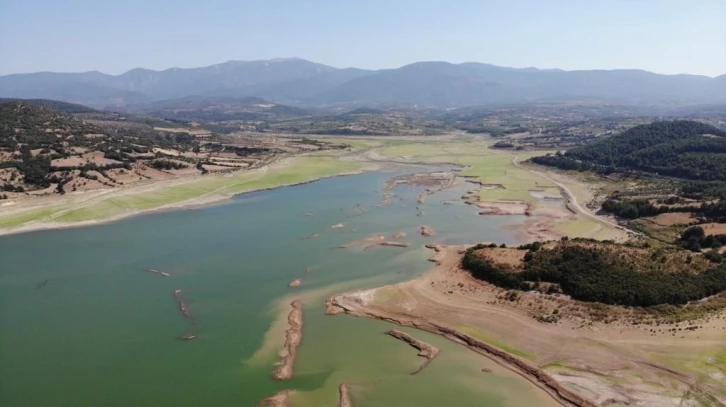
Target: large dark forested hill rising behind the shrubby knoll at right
[683,149]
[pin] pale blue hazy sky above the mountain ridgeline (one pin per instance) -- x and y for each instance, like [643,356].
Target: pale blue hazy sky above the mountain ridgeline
[666,36]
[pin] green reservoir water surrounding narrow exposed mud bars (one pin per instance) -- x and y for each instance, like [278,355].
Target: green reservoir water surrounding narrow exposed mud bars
[102,332]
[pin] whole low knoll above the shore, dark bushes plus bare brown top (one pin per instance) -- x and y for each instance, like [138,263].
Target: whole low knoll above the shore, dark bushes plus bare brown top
[600,272]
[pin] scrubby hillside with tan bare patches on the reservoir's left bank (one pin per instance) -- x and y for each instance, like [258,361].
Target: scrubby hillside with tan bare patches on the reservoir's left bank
[41,147]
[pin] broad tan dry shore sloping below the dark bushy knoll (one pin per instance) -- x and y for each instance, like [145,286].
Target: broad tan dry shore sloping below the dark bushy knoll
[592,365]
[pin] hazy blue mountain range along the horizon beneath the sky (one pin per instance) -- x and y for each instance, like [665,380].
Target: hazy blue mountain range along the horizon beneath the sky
[297,81]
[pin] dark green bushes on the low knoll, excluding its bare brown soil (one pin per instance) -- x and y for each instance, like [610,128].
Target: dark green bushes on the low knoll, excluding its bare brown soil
[587,274]
